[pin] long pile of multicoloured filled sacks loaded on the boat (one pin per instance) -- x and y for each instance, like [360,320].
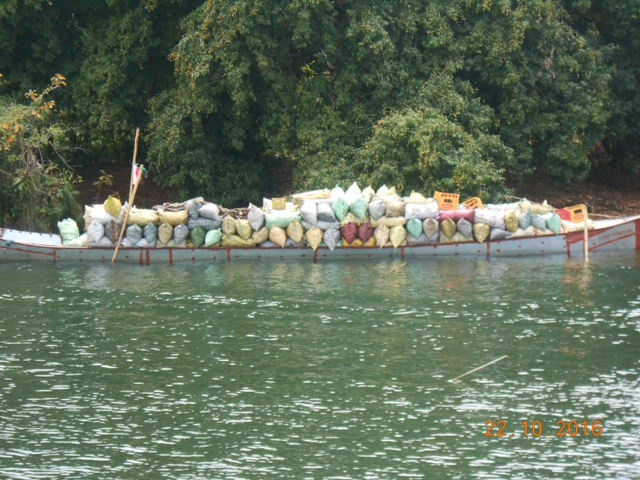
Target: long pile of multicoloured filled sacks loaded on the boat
[331,218]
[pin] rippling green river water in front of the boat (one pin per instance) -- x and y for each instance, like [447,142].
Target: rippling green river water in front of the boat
[331,370]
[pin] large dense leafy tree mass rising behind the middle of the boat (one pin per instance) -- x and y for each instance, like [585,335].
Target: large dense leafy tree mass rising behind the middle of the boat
[423,94]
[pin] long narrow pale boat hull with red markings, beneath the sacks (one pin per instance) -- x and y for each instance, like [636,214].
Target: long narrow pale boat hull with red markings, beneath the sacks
[619,234]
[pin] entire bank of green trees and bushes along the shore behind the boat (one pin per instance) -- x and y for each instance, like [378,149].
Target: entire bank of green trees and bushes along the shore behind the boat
[240,99]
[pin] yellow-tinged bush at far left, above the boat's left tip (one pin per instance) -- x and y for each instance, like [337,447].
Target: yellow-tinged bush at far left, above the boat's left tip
[36,188]
